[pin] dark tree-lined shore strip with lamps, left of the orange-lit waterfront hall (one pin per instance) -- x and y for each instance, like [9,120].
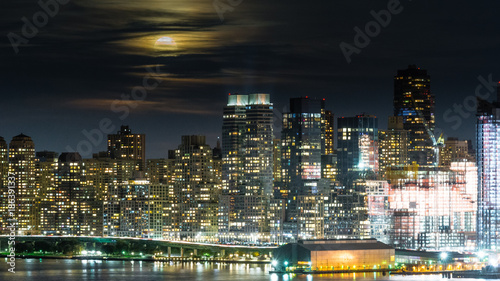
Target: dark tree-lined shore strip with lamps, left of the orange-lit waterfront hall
[71,247]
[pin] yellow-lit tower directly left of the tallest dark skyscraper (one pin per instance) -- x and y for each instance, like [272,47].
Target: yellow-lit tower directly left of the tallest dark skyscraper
[393,146]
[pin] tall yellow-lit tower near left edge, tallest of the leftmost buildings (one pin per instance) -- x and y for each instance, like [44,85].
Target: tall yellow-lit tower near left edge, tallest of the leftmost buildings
[22,166]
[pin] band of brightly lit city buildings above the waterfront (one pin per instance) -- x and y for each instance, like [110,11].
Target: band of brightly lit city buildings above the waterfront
[253,188]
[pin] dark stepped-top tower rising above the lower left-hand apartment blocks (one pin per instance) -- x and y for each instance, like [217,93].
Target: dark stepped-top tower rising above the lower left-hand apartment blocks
[126,145]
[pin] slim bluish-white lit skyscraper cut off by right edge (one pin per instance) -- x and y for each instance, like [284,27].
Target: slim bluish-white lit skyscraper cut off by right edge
[488,162]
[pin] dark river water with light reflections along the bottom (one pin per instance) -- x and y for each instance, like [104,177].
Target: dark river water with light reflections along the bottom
[68,270]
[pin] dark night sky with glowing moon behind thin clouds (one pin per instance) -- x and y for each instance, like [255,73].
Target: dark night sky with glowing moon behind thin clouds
[91,52]
